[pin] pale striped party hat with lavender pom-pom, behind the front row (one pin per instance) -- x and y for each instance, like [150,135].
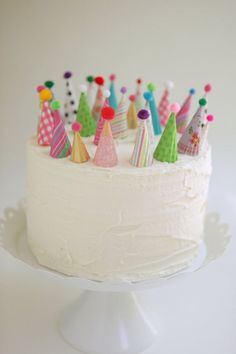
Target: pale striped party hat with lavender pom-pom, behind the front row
[119,124]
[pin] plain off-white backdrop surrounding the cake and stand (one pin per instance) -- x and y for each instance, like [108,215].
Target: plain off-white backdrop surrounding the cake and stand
[190,42]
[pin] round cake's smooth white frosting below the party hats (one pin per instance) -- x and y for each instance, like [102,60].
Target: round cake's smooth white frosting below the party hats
[116,223]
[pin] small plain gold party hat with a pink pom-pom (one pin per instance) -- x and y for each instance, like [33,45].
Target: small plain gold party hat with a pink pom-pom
[79,152]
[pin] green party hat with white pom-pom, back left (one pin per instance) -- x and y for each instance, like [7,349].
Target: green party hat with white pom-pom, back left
[84,115]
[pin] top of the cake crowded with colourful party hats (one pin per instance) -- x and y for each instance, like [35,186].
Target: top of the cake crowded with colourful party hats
[107,132]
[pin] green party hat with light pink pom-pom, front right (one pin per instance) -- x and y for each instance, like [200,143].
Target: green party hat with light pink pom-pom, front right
[166,150]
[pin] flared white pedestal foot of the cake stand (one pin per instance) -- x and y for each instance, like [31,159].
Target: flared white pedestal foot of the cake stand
[116,324]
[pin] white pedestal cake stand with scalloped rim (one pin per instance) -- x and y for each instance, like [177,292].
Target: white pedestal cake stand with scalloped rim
[108,318]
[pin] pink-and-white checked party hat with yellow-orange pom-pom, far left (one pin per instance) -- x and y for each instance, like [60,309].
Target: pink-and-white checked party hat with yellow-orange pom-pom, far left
[46,121]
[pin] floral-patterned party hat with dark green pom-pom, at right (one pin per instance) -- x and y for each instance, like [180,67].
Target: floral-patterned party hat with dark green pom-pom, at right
[190,141]
